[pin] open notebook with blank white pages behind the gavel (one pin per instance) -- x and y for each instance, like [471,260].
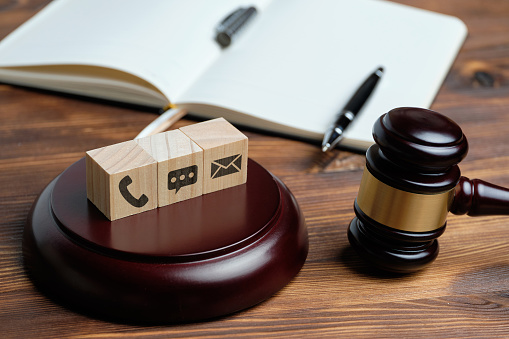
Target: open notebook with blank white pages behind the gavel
[290,71]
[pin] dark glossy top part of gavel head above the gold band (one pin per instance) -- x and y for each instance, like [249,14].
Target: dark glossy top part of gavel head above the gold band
[416,150]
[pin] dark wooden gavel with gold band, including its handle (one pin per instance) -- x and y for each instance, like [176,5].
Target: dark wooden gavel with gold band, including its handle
[410,183]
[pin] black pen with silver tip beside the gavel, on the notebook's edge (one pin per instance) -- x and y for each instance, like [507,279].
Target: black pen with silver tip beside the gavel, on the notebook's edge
[335,133]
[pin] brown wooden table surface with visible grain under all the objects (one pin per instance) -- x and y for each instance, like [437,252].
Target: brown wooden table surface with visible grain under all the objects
[465,293]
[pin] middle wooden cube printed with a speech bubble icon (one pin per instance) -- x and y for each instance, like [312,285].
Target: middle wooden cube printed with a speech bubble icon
[179,166]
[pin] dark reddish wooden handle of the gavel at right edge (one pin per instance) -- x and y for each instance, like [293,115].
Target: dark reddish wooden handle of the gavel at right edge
[478,197]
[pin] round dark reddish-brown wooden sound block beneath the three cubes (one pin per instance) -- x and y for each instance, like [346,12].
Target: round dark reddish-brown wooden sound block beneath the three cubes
[198,259]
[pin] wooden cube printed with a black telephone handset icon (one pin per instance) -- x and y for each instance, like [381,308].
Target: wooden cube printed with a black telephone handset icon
[121,179]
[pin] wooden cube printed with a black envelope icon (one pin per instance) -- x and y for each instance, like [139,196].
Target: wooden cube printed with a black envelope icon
[224,153]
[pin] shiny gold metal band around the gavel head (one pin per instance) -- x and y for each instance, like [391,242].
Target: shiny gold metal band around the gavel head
[400,209]
